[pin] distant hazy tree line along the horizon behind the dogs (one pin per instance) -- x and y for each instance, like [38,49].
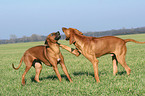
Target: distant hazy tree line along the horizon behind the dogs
[35,37]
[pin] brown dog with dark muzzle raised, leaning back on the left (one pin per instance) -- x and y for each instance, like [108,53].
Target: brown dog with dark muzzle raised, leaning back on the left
[49,54]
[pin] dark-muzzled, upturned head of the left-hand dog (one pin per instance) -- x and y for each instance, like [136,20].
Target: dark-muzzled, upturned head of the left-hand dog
[53,37]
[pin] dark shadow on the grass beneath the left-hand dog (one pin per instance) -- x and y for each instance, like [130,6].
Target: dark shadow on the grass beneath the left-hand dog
[51,77]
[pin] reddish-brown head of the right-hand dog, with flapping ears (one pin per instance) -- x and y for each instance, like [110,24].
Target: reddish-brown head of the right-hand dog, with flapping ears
[70,32]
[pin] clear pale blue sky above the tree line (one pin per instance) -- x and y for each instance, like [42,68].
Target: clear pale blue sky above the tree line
[41,17]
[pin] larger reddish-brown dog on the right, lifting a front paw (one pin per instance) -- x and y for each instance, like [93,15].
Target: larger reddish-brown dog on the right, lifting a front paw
[92,48]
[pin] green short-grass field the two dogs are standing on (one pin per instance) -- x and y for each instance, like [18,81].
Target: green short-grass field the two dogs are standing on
[80,70]
